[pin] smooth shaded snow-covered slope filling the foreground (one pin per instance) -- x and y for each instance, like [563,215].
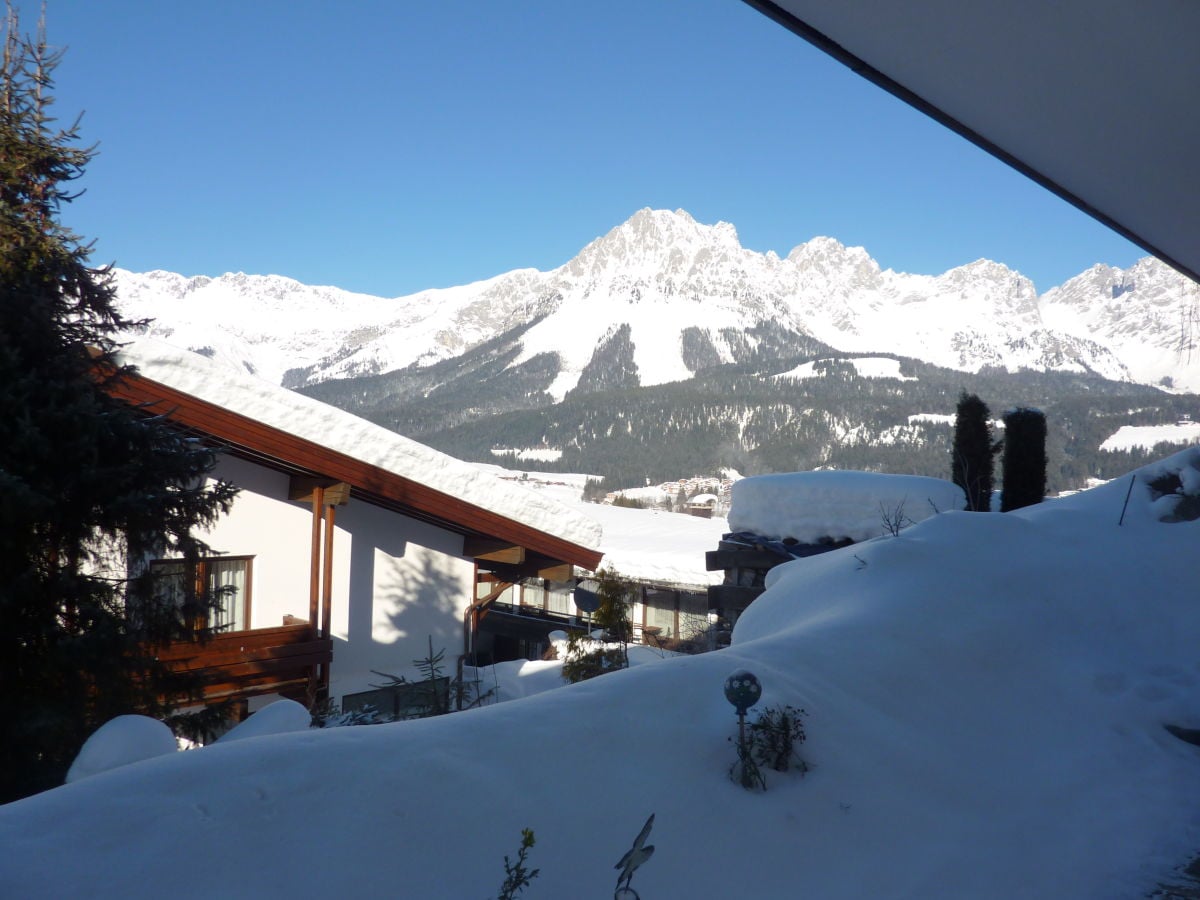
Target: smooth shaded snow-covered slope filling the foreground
[986,700]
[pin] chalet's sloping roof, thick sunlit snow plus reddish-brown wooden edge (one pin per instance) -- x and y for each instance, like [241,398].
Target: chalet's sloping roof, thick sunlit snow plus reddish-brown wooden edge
[304,436]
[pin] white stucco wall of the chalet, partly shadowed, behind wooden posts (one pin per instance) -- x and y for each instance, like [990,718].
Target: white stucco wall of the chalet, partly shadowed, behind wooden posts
[398,581]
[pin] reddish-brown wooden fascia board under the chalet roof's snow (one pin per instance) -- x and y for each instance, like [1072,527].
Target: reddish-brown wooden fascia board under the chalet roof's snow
[370,482]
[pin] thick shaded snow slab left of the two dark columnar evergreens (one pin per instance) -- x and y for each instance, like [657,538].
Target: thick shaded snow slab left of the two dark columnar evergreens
[811,506]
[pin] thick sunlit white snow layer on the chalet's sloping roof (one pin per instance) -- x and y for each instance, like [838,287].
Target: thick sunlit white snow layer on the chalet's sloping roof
[445,481]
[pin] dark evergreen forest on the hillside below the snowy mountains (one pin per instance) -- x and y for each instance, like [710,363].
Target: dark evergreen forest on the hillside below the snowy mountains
[740,417]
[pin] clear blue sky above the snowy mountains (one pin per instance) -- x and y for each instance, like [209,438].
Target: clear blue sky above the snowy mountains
[393,146]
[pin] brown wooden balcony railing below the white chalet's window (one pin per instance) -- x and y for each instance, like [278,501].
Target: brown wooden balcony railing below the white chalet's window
[265,661]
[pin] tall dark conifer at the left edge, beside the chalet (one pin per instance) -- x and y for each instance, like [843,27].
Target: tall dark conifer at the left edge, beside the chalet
[87,483]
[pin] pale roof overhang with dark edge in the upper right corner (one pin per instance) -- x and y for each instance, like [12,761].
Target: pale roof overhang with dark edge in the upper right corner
[1091,99]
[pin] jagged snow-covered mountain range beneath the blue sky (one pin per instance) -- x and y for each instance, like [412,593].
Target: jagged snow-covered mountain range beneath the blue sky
[676,295]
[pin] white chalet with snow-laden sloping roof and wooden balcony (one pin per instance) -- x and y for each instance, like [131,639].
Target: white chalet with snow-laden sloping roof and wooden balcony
[351,548]
